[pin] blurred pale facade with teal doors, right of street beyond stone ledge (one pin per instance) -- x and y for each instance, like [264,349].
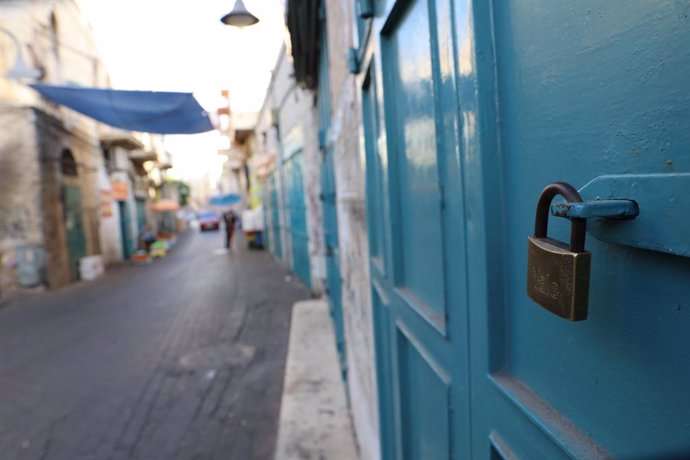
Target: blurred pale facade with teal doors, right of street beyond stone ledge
[287,127]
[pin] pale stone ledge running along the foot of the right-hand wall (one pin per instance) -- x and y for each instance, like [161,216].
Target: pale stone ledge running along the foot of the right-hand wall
[314,416]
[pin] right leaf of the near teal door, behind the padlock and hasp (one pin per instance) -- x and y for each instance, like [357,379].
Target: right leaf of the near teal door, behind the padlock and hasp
[583,90]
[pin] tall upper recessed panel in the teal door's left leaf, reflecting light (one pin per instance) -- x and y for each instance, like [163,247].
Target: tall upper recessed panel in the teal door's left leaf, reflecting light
[415,183]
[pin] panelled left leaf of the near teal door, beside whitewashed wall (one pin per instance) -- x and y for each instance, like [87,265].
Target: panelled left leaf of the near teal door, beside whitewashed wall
[417,244]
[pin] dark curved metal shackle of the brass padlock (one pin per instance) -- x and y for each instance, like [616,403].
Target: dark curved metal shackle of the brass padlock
[578,226]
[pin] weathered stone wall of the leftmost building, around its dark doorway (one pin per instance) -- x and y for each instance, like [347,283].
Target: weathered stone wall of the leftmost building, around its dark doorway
[63,48]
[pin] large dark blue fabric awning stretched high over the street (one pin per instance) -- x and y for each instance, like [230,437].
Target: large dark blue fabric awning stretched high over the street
[145,111]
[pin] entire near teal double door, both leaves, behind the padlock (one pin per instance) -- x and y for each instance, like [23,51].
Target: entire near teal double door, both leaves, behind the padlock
[468,366]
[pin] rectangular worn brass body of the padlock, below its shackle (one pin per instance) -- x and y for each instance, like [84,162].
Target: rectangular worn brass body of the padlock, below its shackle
[558,279]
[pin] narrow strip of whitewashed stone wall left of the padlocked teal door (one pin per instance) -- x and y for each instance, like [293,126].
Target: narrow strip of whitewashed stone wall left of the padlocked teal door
[345,135]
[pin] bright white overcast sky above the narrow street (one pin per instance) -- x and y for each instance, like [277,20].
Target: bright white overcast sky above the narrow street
[181,45]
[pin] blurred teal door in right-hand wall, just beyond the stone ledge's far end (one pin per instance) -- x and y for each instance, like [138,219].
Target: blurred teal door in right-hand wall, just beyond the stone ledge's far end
[297,211]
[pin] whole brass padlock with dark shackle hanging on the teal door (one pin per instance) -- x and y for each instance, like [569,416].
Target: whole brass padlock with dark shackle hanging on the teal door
[557,273]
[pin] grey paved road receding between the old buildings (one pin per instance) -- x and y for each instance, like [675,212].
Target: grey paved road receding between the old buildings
[182,359]
